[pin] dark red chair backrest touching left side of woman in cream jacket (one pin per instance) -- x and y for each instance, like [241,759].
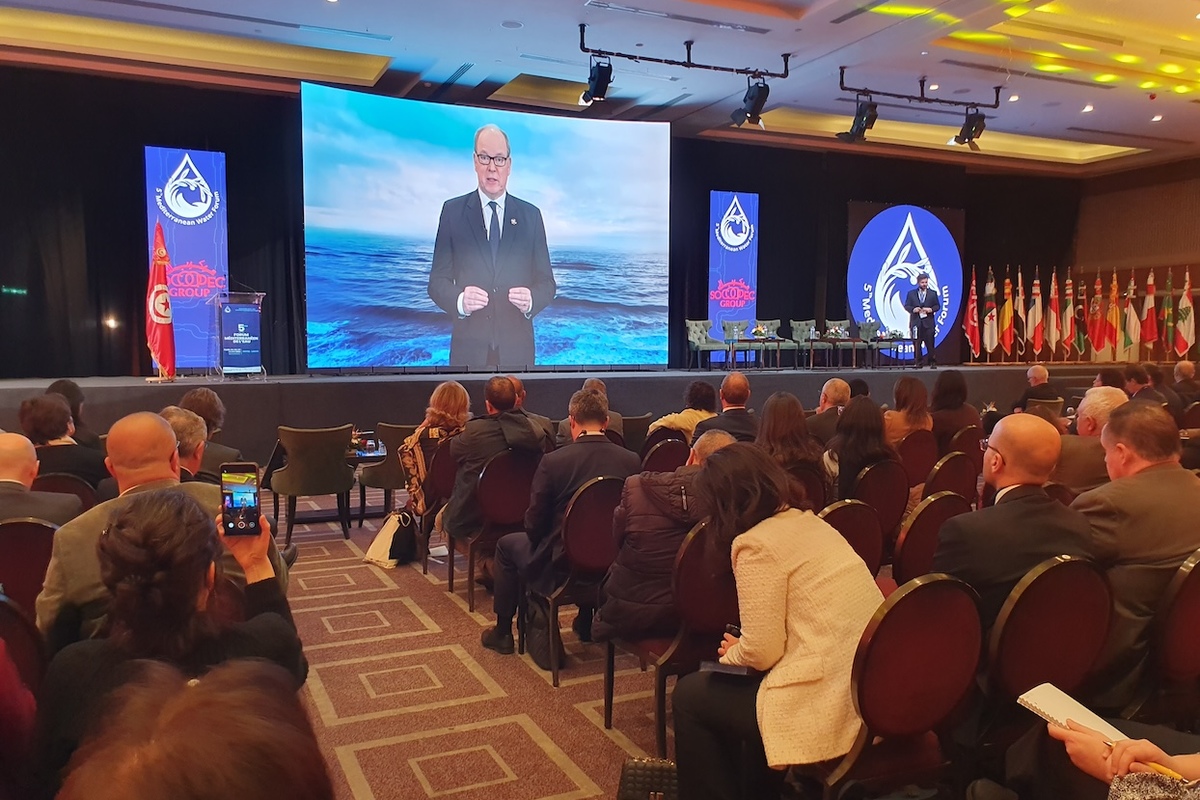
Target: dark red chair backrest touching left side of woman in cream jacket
[706,596]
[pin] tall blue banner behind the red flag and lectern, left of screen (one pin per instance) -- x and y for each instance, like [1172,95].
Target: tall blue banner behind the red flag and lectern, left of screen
[187,194]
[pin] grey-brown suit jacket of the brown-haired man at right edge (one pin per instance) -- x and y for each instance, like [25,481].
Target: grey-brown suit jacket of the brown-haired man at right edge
[1143,530]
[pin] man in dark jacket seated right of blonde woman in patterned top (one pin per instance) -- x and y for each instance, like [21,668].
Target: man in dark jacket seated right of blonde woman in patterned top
[502,429]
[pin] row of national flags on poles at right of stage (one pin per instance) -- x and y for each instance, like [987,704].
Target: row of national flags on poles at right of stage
[1079,323]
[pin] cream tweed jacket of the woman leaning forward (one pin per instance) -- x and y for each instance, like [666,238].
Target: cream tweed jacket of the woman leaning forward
[805,598]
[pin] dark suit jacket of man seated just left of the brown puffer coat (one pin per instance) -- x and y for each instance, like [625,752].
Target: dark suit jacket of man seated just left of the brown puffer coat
[560,477]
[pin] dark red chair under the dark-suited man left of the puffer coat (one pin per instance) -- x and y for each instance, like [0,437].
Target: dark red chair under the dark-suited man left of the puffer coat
[590,549]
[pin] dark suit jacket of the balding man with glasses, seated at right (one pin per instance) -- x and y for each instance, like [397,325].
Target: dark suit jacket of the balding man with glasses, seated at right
[993,549]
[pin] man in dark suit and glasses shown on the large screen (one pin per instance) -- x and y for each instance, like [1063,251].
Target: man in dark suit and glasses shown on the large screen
[491,267]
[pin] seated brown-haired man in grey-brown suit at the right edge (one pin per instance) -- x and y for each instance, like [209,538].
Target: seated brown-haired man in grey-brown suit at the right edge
[1143,530]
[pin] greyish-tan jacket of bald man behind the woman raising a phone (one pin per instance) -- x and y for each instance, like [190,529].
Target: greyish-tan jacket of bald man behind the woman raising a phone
[74,575]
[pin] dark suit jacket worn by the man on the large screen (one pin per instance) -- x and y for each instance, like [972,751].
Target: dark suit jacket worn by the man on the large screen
[463,257]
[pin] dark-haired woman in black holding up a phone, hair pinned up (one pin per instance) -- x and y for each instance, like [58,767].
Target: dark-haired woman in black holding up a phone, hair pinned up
[159,562]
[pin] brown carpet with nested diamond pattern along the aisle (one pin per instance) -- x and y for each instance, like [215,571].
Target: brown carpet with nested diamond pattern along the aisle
[409,705]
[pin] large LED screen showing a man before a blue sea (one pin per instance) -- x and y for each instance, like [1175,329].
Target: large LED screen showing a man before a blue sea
[404,268]
